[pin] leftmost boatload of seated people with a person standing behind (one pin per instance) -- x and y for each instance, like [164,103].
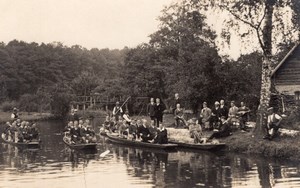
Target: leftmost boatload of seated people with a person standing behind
[20,131]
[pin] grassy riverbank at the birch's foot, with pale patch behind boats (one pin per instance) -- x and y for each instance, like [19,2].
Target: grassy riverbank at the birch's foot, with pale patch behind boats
[246,142]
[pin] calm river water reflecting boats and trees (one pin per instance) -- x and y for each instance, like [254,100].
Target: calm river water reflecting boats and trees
[55,165]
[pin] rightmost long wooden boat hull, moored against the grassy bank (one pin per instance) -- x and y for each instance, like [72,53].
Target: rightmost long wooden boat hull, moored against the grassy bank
[206,146]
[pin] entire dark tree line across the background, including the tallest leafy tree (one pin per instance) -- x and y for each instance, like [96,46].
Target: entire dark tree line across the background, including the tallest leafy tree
[181,57]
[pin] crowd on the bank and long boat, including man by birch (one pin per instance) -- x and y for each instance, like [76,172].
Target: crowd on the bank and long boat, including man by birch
[219,119]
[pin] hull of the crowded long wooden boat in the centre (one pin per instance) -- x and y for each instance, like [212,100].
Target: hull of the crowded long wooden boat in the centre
[118,140]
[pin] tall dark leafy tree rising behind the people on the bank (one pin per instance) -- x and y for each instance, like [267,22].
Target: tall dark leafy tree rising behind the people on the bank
[186,48]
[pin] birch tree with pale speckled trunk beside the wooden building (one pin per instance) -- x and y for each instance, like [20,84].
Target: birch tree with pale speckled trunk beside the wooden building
[263,19]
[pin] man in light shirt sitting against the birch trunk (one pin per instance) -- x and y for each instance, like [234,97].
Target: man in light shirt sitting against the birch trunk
[273,123]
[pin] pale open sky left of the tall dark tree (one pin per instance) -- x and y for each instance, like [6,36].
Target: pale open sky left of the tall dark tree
[89,23]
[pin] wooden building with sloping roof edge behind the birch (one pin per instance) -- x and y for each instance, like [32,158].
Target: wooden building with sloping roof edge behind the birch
[286,75]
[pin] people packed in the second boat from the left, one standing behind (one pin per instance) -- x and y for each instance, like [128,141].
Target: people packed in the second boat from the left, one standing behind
[78,130]
